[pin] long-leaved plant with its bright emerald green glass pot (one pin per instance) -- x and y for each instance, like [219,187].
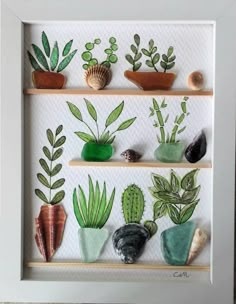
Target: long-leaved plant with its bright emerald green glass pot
[98,145]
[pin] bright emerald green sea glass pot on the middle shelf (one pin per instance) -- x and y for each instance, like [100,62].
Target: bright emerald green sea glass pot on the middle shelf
[96,152]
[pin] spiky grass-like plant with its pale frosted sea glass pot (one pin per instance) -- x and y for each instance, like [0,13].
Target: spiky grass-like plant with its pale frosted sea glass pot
[92,214]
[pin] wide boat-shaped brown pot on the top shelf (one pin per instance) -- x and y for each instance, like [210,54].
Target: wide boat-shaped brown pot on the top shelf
[151,80]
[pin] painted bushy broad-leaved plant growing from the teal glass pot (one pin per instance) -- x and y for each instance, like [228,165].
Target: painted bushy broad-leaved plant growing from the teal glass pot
[176,198]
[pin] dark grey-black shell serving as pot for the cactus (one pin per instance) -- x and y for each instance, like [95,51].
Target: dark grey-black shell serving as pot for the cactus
[129,242]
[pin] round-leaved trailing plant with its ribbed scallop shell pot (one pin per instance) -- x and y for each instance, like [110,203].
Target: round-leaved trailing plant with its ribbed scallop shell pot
[97,76]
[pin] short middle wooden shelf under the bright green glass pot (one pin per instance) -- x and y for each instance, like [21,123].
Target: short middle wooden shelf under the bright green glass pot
[149,164]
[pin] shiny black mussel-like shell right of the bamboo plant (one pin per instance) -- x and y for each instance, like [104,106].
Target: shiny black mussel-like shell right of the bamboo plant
[197,149]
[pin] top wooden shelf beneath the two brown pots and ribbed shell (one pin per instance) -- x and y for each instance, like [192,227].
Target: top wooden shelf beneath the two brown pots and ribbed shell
[132,92]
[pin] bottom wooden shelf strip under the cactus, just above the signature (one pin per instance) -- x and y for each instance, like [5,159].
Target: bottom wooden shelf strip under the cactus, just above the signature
[117,266]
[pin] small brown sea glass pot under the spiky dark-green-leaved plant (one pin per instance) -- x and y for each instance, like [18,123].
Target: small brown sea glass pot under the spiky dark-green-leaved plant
[48,80]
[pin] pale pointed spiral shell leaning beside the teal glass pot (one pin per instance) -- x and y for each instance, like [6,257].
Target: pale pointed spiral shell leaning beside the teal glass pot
[198,242]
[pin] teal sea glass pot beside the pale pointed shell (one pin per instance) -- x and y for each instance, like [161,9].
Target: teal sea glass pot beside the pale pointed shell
[176,243]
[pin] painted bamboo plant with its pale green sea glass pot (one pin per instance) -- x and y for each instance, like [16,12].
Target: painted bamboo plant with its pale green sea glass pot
[170,149]
